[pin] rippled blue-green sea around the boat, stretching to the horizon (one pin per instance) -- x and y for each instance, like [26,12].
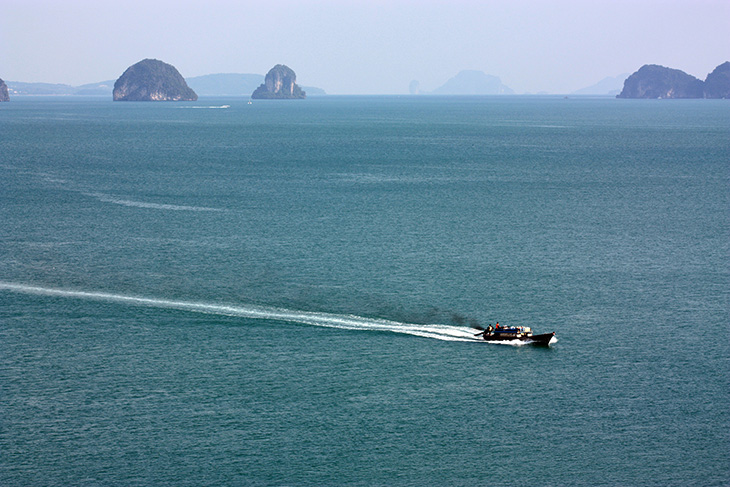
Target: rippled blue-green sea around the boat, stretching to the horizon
[287,293]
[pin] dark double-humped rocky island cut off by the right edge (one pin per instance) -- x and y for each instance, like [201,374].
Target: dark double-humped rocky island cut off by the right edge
[654,81]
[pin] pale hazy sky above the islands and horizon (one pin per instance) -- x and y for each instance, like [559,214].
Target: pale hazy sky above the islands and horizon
[365,47]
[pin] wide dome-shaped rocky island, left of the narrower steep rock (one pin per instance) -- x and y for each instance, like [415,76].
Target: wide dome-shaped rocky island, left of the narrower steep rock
[152,80]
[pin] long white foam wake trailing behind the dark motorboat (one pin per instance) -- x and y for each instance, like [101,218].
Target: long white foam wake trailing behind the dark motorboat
[348,322]
